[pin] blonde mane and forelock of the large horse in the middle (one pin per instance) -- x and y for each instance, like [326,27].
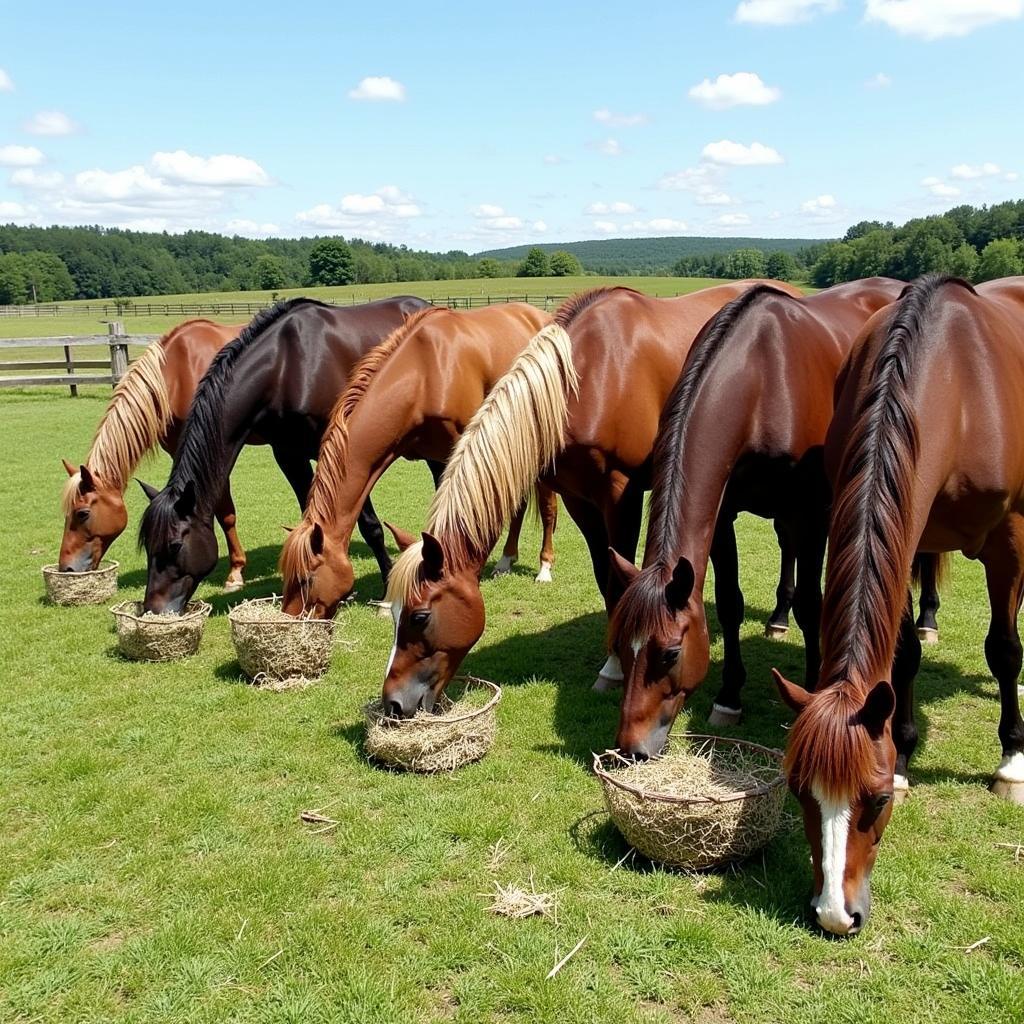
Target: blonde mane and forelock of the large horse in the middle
[513,439]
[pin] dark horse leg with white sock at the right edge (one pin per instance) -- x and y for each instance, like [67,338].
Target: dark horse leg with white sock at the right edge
[1003,558]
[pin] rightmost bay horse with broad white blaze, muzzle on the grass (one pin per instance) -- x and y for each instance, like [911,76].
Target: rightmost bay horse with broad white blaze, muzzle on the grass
[925,454]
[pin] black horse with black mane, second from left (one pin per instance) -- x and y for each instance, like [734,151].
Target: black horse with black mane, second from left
[280,380]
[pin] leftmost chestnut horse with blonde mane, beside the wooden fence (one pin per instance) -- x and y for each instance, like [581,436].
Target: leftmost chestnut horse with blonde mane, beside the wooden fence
[150,405]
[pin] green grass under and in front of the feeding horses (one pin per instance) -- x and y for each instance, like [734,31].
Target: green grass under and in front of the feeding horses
[154,868]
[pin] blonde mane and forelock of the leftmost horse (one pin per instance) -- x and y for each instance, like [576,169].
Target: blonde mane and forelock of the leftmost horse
[135,422]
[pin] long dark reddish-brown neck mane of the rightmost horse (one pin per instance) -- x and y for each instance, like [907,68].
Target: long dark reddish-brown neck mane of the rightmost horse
[870,552]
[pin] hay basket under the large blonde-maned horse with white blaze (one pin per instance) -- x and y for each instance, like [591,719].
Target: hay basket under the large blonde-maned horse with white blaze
[460,731]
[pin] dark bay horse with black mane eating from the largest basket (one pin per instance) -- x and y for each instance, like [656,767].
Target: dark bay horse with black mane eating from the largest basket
[743,432]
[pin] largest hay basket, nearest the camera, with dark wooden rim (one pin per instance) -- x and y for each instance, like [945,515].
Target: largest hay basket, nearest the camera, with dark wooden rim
[717,801]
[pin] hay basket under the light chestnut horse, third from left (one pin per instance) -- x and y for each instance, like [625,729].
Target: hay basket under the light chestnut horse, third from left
[280,651]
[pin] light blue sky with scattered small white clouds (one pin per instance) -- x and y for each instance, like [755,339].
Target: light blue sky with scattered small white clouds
[444,126]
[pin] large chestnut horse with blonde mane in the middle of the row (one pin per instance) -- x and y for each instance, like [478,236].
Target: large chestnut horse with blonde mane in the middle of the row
[580,408]
